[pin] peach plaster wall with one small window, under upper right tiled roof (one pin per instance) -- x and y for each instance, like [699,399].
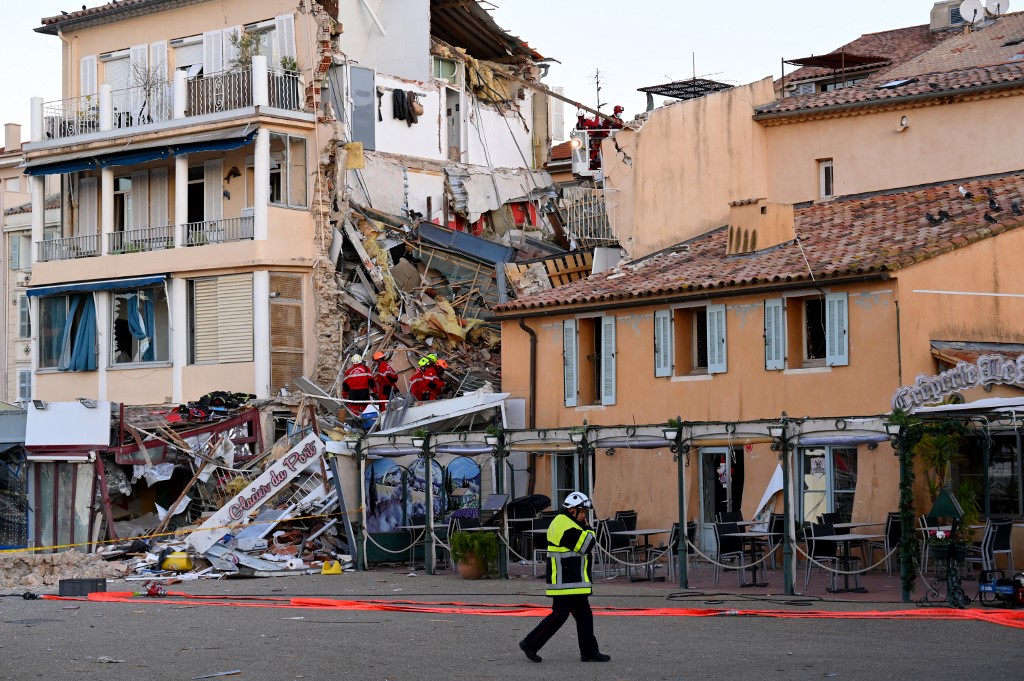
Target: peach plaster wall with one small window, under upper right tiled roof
[872,152]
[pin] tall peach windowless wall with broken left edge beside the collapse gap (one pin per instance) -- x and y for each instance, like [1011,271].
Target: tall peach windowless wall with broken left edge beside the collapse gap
[676,177]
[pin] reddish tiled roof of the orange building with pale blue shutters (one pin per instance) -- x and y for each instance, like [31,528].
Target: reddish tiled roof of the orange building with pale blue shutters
[847,237]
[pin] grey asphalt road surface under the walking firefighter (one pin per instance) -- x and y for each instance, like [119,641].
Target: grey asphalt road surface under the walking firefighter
[158,640]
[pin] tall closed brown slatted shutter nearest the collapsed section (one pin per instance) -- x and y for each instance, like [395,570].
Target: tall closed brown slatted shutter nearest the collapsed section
[286,331]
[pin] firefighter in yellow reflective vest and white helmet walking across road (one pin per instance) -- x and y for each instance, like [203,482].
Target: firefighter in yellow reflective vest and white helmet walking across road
[571,548]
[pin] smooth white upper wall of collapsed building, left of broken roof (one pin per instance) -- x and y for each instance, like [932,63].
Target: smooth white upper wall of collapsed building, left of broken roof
[404,49]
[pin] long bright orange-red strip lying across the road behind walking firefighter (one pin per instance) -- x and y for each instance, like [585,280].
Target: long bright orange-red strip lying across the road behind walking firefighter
[1005,618]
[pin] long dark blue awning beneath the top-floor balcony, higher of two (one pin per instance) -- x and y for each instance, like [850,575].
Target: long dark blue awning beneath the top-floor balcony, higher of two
[215,141]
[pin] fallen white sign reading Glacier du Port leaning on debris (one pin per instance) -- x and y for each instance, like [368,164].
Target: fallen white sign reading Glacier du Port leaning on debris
[258,493]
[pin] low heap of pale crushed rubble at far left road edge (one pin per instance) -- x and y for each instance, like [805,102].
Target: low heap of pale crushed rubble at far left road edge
[36,570]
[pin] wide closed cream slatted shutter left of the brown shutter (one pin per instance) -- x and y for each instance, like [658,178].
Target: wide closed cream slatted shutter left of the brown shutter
[223,320]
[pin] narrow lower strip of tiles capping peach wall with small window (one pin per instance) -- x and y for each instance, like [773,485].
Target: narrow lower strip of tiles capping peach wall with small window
[937,86]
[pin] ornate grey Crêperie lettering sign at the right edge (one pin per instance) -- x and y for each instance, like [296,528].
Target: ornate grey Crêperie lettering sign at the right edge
[991,369]
